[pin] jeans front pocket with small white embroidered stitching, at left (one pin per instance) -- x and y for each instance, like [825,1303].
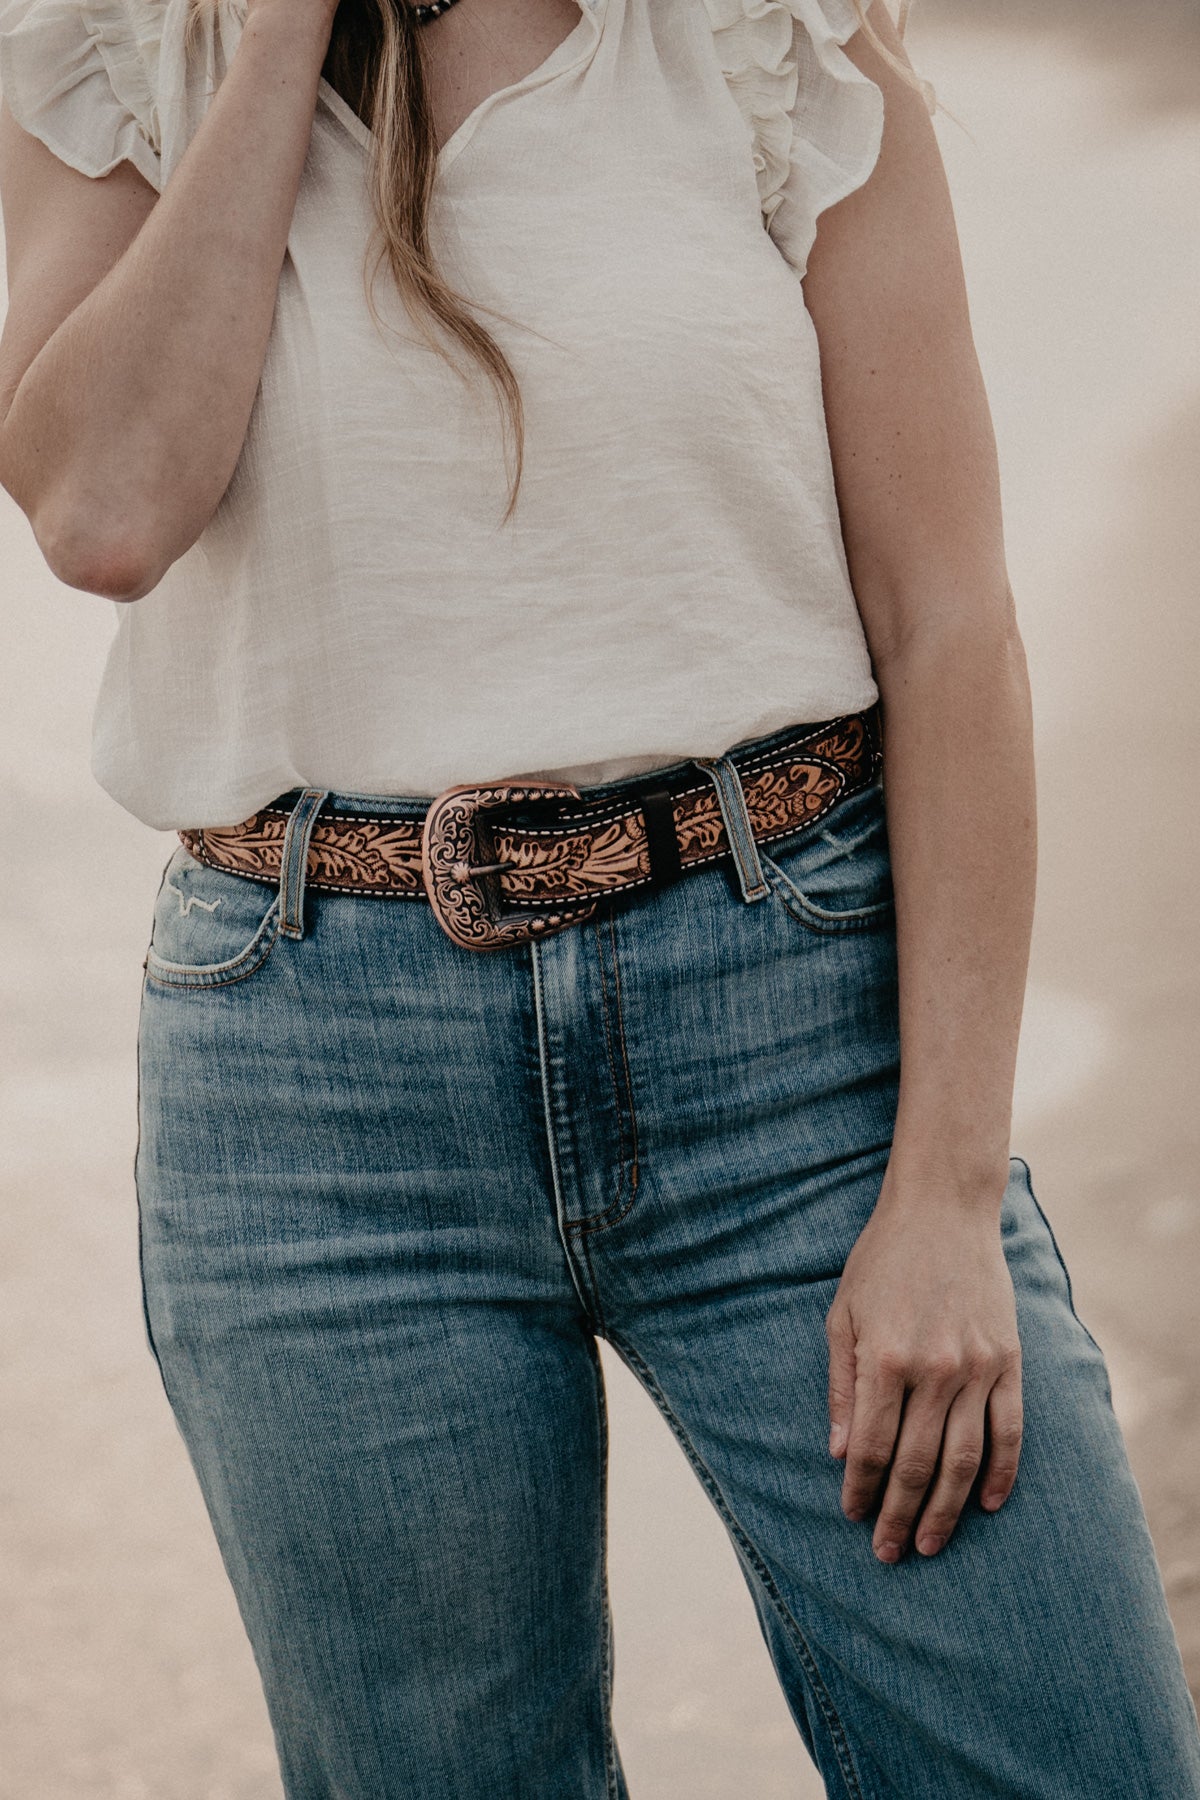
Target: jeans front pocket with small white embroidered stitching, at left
[211,928]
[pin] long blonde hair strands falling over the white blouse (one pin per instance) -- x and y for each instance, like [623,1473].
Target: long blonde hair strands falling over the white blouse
[377,64]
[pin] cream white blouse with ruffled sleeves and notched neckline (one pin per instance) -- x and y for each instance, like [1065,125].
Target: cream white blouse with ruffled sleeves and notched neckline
[674,579]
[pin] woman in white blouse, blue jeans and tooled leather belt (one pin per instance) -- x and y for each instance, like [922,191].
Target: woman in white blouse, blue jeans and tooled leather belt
[533,966]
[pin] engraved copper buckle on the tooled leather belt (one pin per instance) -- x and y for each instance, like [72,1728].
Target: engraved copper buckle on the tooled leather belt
[460,868]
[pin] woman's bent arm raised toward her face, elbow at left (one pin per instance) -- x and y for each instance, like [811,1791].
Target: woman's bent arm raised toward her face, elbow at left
[138,327]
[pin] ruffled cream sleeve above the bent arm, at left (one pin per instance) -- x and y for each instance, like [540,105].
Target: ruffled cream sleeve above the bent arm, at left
[82,80]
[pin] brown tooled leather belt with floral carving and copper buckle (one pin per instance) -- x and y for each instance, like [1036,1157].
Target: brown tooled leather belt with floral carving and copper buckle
[506,861]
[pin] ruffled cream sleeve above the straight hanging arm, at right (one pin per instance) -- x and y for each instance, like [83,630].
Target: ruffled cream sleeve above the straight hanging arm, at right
[814,120]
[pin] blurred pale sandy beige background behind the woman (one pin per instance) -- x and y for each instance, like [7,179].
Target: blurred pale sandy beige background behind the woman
[123,1668]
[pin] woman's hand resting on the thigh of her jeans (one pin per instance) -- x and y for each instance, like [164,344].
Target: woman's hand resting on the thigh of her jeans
[924,1369]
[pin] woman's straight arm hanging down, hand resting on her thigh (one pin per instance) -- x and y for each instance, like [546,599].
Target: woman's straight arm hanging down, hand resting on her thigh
[924,1349]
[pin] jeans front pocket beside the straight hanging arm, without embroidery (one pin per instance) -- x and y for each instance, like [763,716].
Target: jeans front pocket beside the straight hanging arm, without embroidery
[836,876]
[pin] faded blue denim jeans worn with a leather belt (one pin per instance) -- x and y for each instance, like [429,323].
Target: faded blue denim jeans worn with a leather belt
[391,1192]
